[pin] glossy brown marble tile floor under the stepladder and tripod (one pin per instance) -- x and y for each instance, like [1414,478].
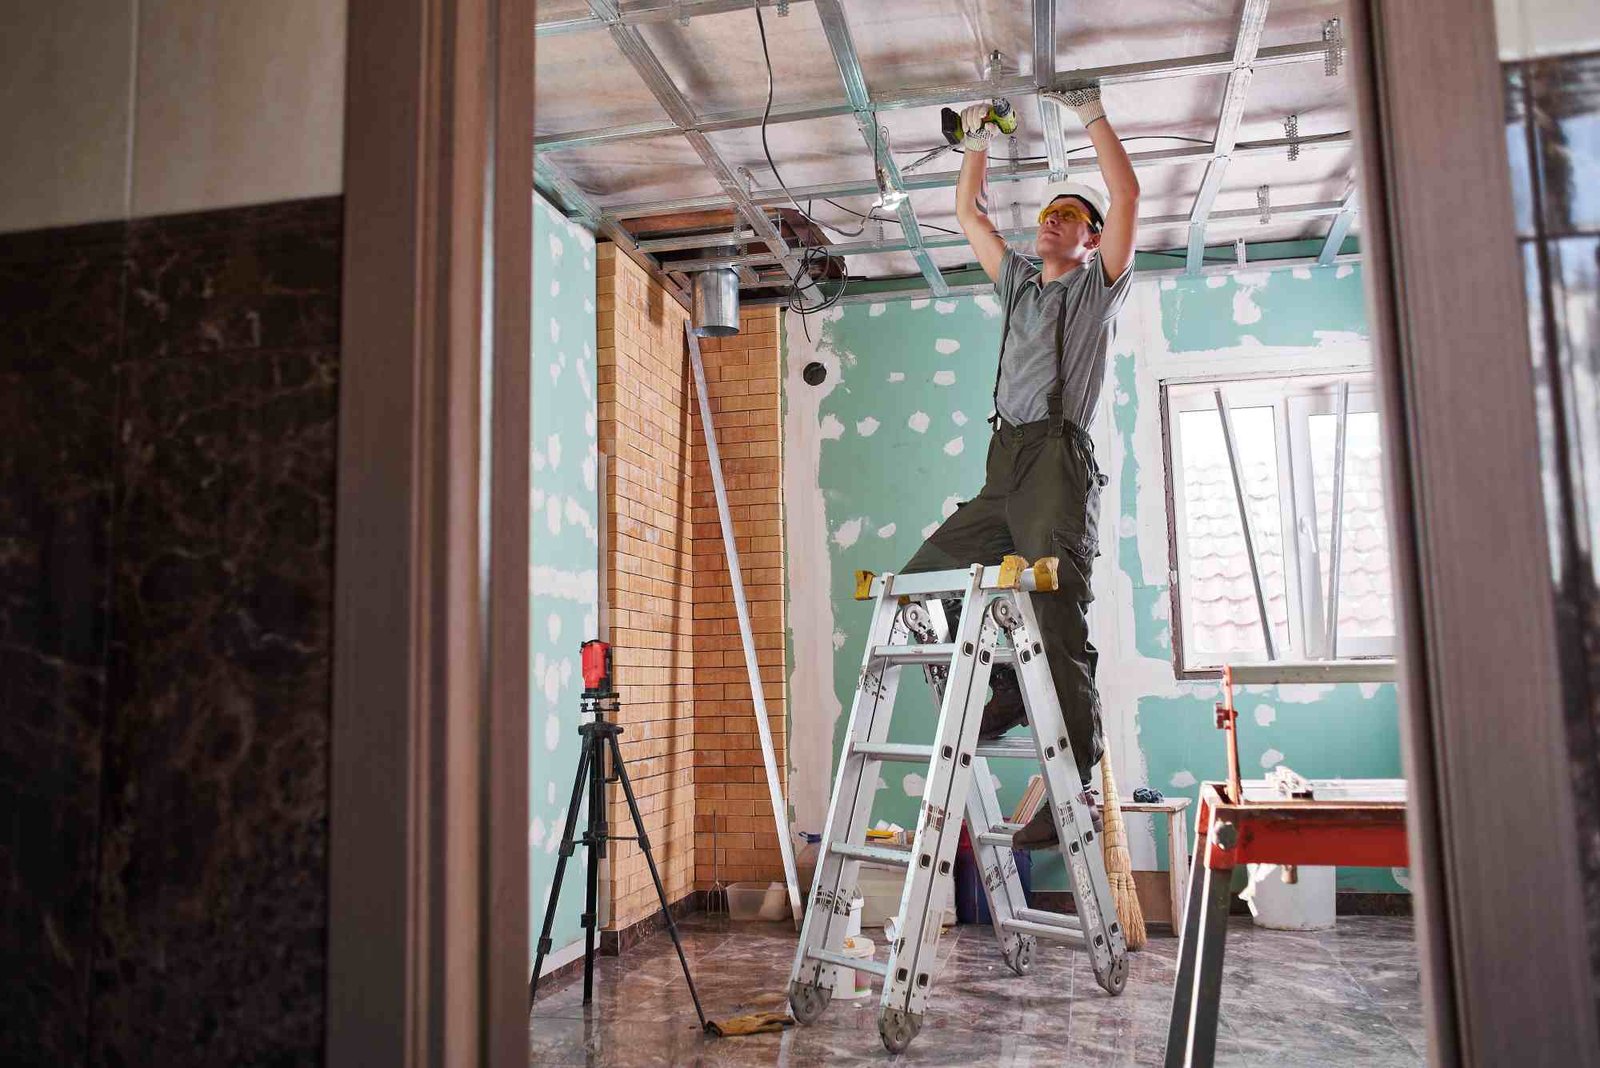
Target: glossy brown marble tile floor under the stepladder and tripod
[1348,997]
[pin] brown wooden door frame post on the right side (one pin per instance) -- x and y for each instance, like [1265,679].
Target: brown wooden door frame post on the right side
[1502,928]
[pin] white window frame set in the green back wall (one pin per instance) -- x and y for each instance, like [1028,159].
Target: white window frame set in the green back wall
[1294,399]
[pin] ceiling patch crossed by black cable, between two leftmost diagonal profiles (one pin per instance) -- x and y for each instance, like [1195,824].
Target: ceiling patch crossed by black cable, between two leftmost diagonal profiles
[718,60]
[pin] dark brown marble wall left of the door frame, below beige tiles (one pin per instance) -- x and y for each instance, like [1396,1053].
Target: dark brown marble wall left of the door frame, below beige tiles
[170,397]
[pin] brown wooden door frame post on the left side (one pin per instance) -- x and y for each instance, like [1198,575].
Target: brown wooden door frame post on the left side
[428,946]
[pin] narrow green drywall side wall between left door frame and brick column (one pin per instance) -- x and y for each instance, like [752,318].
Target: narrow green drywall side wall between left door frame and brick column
[564,546]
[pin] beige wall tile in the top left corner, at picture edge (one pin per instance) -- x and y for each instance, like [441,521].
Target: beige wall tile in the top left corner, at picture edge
[66,87]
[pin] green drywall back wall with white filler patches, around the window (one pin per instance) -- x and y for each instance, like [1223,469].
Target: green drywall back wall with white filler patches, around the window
[903,437]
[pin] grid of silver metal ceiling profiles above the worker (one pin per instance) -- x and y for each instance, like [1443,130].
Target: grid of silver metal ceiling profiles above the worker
[751,204]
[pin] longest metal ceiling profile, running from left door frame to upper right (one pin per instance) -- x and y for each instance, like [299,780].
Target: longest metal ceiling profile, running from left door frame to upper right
[940,95]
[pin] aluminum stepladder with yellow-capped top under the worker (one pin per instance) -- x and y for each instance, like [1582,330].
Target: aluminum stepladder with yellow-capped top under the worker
[908,628]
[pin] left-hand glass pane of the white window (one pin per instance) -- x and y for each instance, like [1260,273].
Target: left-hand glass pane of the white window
[1218,597]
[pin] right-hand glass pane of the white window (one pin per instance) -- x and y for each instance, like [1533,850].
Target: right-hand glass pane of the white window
[1366,591]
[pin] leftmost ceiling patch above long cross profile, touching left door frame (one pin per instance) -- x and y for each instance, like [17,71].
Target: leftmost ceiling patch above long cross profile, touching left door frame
[583,82]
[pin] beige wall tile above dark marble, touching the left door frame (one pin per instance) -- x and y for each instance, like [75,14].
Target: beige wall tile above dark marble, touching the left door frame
[238,103]
